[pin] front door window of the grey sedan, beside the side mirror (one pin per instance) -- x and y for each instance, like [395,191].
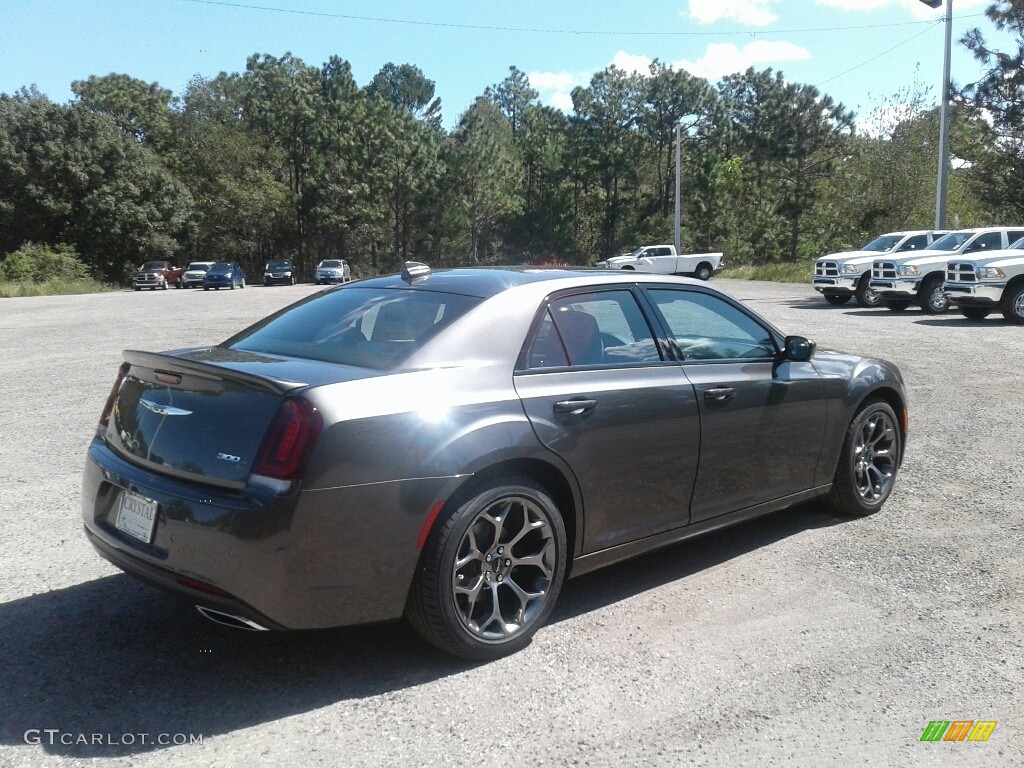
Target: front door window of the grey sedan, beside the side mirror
[705,327]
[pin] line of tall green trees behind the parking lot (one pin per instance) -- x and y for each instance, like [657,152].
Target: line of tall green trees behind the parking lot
[287,160]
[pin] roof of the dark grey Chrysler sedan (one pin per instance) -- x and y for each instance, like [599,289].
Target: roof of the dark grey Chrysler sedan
[487,282]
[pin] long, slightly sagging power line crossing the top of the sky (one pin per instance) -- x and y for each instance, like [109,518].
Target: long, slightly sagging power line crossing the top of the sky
[538,30]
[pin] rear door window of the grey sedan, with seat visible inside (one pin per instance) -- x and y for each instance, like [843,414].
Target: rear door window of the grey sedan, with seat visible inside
[593,329]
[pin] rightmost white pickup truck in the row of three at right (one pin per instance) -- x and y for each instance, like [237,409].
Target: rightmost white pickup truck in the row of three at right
[978,287]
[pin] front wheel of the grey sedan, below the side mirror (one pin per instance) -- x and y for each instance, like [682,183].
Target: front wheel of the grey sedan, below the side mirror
[873,448]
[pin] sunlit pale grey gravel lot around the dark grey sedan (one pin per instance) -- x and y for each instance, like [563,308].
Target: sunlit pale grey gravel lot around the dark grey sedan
[801,639]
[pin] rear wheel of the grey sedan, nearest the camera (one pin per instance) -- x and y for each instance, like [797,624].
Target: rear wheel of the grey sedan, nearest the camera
[504,603]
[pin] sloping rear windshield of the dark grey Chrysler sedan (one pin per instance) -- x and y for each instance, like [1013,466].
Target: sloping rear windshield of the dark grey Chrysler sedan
[365,327]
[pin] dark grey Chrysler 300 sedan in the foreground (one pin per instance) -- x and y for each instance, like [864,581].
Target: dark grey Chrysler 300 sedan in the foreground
[450,446]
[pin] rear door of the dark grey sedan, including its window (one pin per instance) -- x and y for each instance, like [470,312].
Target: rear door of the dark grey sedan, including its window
[599,392]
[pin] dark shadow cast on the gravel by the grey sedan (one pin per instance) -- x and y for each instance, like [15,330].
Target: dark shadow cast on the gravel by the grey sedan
[113,659]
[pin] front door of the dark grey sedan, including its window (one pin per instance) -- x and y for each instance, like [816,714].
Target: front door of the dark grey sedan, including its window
[762,422]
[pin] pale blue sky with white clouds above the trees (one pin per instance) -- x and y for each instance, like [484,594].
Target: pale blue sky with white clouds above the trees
[466,46]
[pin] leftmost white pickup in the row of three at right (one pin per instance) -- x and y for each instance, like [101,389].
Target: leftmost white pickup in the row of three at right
[841,277]
